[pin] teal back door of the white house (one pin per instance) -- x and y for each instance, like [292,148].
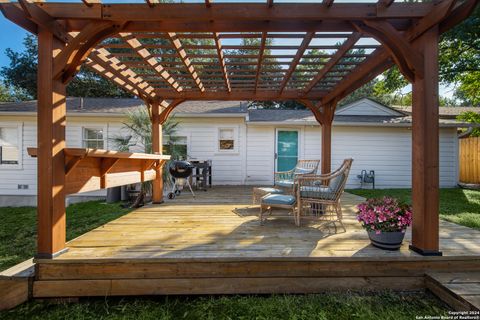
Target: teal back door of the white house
[287,149]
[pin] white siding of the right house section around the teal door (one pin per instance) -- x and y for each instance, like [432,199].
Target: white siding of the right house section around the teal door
[386,150]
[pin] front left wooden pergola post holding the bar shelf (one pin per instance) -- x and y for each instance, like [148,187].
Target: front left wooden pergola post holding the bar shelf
[51,119]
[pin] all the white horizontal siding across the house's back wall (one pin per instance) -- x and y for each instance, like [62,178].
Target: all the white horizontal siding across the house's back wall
[387,150]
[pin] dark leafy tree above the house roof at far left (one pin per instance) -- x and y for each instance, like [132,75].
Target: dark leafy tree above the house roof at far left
[22,74]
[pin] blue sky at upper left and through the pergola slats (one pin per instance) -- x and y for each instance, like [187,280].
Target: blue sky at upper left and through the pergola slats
[11,36]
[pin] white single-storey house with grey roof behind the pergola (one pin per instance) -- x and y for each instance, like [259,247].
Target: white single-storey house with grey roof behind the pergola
[241,143]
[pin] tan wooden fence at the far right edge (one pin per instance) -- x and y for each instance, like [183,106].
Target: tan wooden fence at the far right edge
[469,160]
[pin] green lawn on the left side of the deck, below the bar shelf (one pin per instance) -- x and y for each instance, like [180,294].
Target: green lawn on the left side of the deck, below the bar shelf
[18,227]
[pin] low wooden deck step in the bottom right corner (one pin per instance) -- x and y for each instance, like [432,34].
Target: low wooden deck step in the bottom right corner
[460,290]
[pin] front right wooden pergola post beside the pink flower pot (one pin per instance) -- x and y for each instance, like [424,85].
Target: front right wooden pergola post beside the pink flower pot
[425,150]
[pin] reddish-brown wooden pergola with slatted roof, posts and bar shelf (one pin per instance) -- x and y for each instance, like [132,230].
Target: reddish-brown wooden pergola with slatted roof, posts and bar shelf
[169,53]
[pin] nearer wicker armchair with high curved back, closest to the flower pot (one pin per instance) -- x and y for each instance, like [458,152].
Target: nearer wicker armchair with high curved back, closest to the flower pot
[318,196]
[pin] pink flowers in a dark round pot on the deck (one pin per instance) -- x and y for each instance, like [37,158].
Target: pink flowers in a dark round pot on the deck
[385,220]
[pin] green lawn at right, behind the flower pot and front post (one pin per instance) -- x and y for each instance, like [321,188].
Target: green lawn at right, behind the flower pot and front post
[457,205]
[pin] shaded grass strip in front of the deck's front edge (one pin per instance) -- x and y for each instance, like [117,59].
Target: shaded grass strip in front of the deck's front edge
[320,306]
